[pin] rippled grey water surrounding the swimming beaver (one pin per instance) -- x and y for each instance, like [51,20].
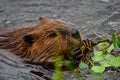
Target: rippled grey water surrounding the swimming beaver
[93,18]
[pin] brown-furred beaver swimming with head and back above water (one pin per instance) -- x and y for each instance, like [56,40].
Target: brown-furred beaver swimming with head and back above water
[43,41]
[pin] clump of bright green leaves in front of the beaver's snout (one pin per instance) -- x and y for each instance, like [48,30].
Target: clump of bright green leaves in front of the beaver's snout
[104,58]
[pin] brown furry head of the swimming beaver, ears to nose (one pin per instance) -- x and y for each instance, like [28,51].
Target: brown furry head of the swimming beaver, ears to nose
[50,38]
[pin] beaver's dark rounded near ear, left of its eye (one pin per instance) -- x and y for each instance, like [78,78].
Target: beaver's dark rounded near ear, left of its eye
[28,39]
